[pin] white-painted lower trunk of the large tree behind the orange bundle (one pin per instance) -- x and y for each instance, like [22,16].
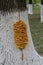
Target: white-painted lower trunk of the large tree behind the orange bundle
[9,54]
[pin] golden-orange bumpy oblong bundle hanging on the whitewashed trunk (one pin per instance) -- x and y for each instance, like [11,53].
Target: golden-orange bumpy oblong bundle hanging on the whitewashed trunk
[20,34]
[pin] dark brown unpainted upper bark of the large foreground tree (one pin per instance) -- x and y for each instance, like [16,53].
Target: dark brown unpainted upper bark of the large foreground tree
[9,5]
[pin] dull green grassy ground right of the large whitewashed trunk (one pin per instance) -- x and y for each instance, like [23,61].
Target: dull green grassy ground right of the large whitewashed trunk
[37,31]
